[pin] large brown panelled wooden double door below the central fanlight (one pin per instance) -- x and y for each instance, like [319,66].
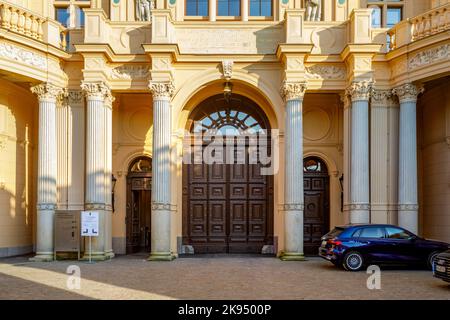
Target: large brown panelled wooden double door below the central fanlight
[227,208]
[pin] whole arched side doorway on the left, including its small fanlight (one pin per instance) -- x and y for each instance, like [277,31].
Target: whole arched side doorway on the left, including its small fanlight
[138,217]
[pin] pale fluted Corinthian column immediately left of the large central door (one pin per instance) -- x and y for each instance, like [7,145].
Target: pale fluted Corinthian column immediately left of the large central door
[160,233]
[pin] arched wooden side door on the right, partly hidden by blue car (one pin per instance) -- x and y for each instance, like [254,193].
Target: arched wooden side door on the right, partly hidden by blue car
[316,184]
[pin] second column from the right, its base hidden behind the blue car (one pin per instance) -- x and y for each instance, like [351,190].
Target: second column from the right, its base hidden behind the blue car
[359,163]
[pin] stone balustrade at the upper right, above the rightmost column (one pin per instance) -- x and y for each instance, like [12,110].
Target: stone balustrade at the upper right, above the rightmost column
[427,24]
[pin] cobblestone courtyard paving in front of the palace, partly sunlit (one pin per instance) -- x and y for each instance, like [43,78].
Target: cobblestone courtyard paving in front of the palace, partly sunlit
[213,277]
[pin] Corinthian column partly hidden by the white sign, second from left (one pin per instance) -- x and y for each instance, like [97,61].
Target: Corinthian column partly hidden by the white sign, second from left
[98,165]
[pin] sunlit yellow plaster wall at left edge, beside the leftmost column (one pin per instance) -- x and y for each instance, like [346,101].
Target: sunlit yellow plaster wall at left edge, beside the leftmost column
[18,117]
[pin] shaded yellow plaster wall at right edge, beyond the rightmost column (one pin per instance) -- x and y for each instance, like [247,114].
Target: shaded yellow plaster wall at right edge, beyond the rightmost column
[434,115]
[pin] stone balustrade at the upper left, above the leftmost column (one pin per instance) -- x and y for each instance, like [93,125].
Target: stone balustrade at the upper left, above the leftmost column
[25,22]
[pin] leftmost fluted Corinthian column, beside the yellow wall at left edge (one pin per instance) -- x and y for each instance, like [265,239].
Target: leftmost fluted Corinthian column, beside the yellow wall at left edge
[47,170]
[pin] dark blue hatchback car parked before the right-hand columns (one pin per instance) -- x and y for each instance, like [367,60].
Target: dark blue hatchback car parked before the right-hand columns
[357,246]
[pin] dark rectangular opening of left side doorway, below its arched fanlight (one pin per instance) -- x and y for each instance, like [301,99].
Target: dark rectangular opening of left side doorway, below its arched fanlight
[138,218]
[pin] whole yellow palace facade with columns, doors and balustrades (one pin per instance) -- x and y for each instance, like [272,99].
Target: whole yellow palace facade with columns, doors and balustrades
[98,100]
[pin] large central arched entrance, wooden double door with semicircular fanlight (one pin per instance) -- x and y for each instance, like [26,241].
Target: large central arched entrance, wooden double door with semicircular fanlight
[228,206]
